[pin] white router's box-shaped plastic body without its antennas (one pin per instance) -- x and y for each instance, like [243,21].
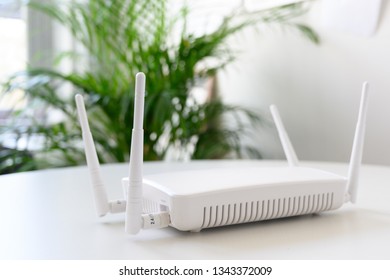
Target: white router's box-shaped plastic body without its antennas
[207,198]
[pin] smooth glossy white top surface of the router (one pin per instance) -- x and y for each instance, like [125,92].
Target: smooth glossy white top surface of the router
[219,179]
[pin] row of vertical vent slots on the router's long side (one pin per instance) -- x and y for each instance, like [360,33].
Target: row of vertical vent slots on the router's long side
[245,212]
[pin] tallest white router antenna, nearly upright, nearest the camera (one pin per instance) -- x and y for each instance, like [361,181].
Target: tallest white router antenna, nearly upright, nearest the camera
[133,222]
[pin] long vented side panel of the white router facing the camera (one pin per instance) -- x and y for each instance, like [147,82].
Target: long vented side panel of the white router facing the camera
[255,204]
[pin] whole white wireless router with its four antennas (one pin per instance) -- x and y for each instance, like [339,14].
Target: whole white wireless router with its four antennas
[197,199]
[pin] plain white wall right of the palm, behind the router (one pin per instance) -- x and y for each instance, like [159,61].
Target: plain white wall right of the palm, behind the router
[316,87]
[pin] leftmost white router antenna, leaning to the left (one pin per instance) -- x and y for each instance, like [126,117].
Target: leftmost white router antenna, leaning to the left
[99,193]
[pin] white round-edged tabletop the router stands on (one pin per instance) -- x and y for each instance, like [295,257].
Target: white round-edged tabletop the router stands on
[50,214]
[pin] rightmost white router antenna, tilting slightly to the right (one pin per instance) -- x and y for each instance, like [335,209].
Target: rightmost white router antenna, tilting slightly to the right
[357,148]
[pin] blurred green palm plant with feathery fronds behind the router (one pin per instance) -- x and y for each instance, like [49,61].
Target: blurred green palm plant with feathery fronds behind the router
[122,38]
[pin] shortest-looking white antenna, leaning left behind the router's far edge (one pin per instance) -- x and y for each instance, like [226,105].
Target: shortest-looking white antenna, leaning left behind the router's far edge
[287,147]
